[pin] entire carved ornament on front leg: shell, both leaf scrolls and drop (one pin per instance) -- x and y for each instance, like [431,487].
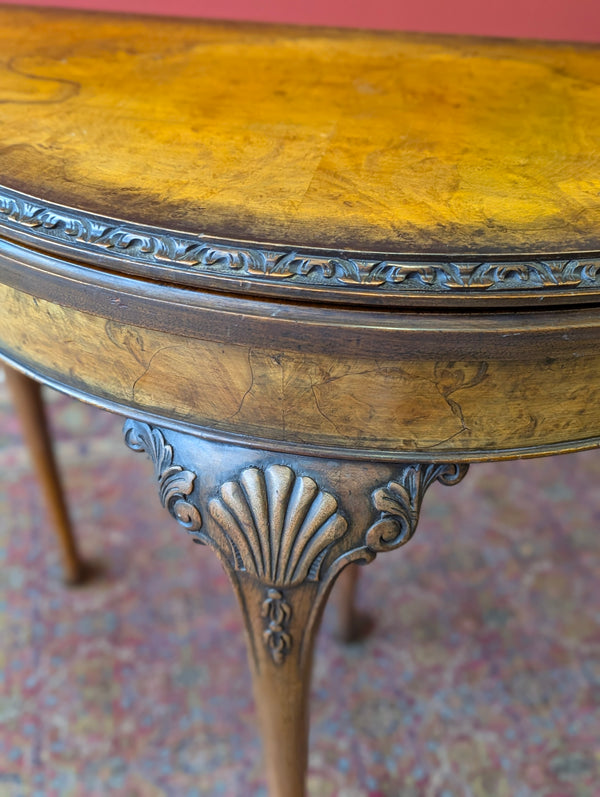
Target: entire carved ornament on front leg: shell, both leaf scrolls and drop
[279,525]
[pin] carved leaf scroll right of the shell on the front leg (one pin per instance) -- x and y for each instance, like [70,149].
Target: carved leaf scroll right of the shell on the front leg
[399,503]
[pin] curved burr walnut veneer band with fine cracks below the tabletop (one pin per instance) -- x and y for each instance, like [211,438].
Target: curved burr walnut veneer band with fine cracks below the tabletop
[406,404]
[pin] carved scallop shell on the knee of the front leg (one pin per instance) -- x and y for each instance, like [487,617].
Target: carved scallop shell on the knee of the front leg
[279,525]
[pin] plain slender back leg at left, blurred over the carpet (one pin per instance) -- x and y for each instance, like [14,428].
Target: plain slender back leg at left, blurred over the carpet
[27,399]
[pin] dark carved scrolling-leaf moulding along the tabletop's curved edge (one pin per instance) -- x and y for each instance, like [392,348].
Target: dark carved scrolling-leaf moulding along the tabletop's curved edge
[193,253]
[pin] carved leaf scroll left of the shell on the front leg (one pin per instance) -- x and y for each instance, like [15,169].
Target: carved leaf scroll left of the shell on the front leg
[175,484]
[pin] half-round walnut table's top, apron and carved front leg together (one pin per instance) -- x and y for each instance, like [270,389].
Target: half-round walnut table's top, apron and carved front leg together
[318,270]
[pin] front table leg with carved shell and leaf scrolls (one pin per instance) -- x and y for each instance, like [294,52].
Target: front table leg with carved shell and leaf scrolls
[284,528]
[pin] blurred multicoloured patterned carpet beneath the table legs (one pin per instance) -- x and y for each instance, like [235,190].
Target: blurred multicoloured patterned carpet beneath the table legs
[481,679]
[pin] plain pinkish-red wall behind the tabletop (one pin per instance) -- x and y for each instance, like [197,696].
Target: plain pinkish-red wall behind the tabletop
[553,19]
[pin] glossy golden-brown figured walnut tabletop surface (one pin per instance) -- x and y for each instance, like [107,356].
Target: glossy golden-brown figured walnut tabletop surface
[360,140]
